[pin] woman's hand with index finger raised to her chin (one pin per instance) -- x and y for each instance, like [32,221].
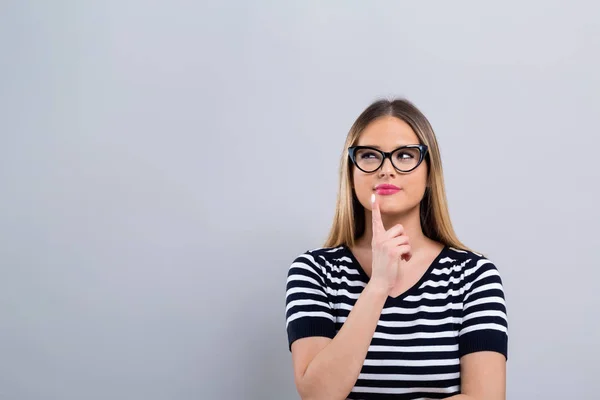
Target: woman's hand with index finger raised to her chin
[389,248]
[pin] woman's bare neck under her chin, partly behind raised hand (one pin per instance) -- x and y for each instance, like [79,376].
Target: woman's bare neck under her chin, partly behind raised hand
[411,222]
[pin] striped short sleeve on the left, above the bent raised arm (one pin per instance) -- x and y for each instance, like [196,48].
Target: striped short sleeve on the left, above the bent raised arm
[308,309]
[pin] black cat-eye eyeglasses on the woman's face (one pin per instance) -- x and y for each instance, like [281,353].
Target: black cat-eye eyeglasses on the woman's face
[404,159]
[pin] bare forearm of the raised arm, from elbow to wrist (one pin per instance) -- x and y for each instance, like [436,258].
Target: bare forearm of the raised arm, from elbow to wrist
[335,369]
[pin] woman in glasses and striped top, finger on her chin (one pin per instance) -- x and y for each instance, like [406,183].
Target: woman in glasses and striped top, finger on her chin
[394,306]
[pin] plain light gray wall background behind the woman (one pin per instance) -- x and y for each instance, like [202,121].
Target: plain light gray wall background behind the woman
[162,163]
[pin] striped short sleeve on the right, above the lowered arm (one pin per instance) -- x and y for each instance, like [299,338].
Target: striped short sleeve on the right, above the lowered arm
[484,324]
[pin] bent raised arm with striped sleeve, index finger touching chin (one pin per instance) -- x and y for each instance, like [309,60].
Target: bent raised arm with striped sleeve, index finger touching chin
[328,367]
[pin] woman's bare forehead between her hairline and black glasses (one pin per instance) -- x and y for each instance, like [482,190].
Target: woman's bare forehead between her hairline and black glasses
[387,133]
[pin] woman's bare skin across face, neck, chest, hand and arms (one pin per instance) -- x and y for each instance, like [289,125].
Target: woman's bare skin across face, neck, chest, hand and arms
[394,253]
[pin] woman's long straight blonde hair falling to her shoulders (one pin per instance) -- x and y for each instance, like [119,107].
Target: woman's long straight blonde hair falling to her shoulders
[349,219]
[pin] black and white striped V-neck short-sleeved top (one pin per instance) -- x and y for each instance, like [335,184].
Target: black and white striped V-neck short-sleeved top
[456,308]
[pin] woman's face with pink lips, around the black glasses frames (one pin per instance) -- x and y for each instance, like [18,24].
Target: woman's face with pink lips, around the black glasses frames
[387,134]
